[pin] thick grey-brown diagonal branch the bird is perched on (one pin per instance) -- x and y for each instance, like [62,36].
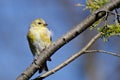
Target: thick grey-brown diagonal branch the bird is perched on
[49,51]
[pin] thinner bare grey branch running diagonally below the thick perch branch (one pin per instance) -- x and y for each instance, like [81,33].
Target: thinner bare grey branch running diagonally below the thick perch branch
[75,56]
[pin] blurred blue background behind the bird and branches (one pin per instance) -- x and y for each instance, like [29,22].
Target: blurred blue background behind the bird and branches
[61,16]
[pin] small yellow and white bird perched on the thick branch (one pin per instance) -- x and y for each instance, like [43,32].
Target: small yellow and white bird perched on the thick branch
[39,37]
